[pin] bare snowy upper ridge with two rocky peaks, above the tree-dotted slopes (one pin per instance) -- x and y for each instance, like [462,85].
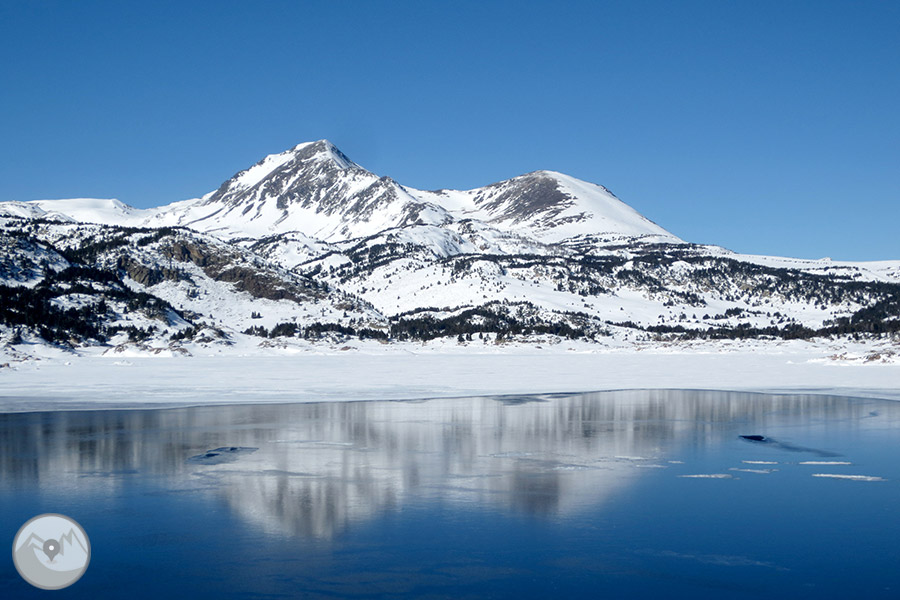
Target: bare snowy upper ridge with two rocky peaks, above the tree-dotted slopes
[315,190]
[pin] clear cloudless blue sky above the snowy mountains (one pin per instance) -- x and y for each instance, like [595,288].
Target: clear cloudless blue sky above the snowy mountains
[764,126]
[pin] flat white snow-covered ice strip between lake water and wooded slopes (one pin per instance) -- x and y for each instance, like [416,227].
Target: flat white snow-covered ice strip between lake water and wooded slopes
[358,371]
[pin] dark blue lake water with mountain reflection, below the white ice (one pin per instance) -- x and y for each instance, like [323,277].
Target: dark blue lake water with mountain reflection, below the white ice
[517,497]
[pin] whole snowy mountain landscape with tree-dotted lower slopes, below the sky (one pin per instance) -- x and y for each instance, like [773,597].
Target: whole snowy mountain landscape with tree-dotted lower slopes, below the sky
[306,242]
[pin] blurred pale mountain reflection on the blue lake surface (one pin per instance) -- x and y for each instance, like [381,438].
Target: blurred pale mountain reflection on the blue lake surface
[319,468]
